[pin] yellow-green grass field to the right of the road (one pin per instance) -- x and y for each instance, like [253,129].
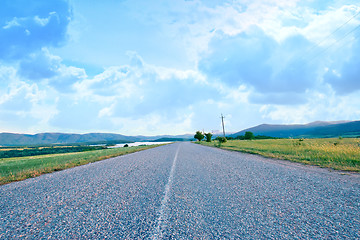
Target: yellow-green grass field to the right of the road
[335,153]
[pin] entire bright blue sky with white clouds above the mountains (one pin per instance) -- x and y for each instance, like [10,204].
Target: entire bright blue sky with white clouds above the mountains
[173,67]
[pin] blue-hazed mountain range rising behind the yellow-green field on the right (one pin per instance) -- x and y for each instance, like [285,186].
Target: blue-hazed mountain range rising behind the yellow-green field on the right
[317,129]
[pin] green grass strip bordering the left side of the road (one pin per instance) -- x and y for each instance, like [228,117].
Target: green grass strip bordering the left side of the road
[20,168]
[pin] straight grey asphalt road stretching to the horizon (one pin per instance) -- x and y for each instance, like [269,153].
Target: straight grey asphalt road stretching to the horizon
[183,191]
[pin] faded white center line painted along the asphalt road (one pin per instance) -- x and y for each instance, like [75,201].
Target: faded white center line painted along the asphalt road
[162,219]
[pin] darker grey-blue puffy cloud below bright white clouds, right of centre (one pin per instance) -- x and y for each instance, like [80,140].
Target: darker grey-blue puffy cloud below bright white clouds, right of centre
[256,60]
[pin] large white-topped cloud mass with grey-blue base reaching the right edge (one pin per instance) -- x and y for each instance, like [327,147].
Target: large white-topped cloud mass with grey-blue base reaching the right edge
[279,60]
